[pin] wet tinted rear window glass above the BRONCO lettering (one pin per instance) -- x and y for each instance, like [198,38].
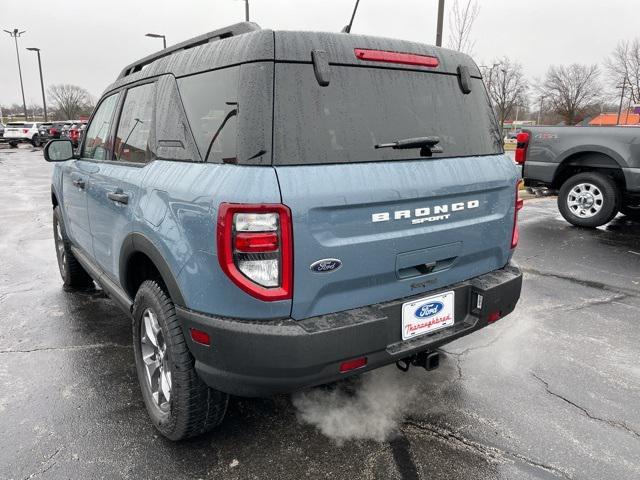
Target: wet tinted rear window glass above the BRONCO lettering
[363,107]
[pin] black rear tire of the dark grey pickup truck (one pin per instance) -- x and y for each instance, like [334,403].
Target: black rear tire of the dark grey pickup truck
[602,211]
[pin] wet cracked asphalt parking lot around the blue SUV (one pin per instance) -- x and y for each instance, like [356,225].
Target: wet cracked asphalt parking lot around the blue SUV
[549,392]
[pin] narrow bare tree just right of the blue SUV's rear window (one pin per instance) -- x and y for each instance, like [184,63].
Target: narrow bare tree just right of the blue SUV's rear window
[507,87]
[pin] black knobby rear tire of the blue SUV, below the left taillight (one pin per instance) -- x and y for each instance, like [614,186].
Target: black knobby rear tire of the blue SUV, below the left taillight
[192,408]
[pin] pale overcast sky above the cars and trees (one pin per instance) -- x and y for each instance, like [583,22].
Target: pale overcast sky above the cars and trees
[88,42]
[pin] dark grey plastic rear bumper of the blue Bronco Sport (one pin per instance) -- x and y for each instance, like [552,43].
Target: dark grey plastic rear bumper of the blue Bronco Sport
[262,358]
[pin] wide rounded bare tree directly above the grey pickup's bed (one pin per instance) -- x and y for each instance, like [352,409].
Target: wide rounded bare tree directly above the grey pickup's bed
[570,90]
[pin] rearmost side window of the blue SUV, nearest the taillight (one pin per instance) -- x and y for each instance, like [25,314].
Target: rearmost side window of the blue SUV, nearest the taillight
[211,102]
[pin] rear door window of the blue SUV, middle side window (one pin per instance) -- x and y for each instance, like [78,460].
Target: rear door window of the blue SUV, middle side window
[134,128]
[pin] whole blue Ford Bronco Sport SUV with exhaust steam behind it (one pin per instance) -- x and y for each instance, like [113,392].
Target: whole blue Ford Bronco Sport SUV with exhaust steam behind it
[278,210]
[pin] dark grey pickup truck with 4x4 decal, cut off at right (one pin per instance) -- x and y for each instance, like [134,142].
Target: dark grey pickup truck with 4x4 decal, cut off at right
[596,170]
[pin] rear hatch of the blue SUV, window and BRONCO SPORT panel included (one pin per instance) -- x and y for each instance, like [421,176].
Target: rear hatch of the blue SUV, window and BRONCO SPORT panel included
[387,223]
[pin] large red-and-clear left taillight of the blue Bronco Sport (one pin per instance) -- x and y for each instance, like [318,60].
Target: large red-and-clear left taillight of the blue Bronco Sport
[255,248]
